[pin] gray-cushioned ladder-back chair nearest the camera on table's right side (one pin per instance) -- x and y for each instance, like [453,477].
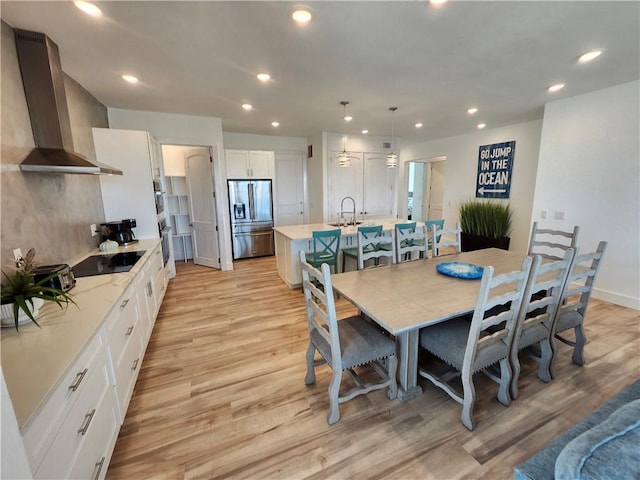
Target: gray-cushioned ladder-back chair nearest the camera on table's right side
[471,347]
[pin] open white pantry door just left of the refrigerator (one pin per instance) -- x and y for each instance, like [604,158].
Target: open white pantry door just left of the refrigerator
[202,207]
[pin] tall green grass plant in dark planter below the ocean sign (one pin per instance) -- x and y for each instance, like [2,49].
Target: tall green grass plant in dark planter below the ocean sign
[485,224]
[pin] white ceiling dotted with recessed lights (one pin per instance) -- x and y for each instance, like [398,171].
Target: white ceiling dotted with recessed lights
[202,57]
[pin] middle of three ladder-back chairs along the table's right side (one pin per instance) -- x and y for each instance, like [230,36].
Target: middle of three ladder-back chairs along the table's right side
[538,315]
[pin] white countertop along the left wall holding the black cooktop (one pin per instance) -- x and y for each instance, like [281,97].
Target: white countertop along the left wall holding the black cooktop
[34,359]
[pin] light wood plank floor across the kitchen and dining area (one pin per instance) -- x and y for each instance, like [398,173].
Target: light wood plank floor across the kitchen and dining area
[221,394]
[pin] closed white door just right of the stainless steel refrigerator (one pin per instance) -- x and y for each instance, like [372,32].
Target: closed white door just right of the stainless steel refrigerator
[289,189]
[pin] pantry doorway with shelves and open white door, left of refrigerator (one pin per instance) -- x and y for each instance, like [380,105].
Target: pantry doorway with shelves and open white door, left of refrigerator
[189,183]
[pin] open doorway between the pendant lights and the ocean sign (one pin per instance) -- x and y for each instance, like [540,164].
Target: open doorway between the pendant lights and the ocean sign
[425,188]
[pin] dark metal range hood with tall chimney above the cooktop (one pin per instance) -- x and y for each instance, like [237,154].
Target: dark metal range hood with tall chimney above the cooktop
[43,81]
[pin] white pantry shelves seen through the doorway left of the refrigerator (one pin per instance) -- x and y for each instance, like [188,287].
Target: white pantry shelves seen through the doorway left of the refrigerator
[178,209]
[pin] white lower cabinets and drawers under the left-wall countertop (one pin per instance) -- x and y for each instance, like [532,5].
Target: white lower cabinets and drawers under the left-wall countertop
[75,430]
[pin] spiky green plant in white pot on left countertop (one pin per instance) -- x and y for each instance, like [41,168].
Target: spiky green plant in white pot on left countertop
[22,296]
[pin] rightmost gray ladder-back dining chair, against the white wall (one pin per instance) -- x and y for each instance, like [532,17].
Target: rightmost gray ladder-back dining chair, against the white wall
[575,300]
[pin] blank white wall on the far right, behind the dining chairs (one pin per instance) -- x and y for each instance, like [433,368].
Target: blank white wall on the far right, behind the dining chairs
[589,169]
